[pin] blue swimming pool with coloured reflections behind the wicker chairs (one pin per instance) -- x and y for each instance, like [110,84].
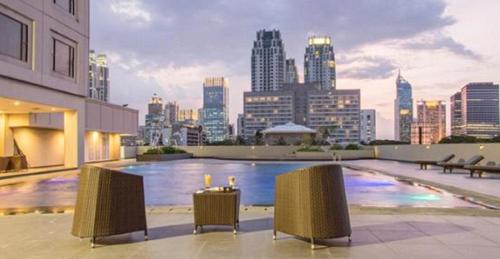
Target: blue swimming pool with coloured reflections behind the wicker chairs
[172,183]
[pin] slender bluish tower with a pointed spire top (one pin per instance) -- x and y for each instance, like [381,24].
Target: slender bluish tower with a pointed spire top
[403,110]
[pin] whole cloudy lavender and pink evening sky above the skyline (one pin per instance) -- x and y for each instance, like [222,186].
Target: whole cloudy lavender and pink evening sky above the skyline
[168,47]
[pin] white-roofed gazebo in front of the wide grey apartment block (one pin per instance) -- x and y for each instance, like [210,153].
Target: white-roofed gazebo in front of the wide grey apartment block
[288,134]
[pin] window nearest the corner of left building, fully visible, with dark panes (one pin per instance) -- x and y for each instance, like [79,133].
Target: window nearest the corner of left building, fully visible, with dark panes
[63,58]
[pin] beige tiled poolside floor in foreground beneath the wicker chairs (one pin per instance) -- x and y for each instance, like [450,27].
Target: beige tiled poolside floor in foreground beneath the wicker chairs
[374,236]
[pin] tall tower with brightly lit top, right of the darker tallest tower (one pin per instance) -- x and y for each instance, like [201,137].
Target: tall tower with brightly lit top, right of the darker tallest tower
[319,62]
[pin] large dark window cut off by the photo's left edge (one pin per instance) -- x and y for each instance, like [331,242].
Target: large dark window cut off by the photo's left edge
[14,38]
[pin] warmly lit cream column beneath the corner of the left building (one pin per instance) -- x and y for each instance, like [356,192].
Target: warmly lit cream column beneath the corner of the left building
[74,130]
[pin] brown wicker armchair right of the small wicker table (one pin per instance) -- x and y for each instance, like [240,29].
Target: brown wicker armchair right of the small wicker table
[311,203]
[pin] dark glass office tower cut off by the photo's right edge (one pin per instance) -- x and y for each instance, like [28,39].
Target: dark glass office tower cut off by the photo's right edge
[480,114]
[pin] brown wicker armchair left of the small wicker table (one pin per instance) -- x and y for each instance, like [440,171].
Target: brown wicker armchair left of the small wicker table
[108,203]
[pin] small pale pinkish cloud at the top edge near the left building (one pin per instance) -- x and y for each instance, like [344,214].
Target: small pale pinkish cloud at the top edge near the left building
[130,11]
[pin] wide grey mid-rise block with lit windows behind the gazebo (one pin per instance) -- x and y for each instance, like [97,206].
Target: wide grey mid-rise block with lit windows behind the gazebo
[308,105]
